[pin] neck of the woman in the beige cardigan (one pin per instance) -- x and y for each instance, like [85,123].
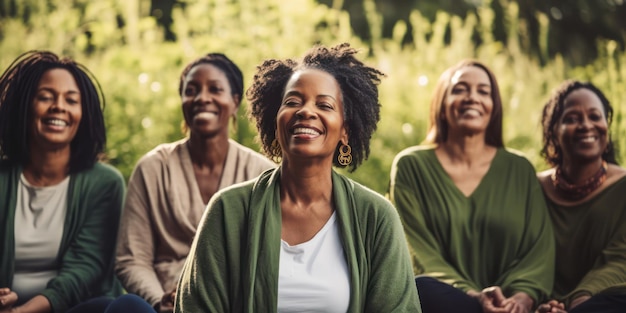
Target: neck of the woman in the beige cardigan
[208,152]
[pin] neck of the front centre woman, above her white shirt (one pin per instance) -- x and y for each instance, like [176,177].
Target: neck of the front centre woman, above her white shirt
[305,185]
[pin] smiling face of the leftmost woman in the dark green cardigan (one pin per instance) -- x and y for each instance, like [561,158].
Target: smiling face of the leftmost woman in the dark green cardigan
[57,110]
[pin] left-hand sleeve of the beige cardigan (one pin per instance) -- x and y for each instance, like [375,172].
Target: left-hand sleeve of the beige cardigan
[136,246]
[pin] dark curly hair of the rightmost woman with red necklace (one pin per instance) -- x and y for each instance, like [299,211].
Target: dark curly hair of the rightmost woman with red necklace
[552,112]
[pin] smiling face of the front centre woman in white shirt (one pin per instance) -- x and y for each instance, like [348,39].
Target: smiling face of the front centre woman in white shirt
[310,119]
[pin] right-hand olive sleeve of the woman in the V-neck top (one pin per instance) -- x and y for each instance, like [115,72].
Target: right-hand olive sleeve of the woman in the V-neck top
[533,270]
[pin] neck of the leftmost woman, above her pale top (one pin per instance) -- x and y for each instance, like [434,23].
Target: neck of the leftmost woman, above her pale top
[46,168]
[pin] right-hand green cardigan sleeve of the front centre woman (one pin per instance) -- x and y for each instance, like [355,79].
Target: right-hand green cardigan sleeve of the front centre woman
[391,284]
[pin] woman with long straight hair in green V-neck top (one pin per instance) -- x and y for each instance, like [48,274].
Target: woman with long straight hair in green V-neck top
[473,212]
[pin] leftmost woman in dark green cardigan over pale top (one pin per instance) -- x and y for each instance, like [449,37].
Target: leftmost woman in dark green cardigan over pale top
[59,207]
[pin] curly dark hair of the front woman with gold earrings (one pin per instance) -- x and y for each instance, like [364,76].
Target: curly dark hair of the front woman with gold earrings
[359,88]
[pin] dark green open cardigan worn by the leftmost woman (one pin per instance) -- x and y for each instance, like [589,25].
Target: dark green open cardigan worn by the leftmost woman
[87,251]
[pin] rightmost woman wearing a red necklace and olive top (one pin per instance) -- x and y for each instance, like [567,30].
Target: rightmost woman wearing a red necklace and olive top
[585,192]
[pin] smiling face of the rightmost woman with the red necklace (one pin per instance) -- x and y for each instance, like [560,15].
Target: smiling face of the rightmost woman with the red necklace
[582,130]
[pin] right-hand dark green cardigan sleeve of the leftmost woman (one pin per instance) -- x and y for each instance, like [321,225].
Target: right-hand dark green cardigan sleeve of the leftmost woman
[85,263]
